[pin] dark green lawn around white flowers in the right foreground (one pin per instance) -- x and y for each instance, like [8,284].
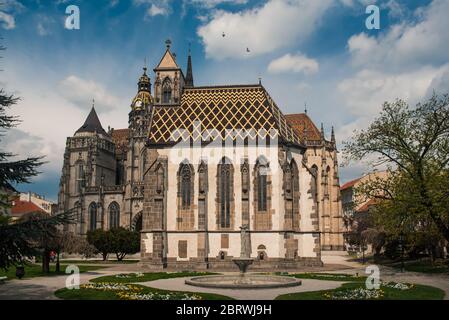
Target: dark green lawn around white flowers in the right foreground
[418,292]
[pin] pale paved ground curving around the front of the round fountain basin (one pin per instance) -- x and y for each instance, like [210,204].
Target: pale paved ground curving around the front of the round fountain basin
[178,284]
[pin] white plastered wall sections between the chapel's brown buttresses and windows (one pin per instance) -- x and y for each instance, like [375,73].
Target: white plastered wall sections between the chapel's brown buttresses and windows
[273,241]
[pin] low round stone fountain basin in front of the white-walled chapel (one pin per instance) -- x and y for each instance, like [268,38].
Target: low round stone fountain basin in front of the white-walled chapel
[247,281]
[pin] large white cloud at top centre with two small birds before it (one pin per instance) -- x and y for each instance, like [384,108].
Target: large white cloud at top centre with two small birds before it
[276,24]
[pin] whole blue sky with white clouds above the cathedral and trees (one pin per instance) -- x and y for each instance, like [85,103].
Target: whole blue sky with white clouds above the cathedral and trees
[314,51]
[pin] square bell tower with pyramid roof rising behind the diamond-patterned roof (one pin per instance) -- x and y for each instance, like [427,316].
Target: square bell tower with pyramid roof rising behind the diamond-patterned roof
[170,79]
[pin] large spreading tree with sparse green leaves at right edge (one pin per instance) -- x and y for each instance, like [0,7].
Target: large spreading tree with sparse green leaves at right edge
[414,145]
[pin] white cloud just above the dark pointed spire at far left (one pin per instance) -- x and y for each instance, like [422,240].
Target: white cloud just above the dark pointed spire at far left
[80,93]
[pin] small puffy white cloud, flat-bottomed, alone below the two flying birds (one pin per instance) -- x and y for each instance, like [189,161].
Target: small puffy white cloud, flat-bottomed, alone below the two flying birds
[293,63]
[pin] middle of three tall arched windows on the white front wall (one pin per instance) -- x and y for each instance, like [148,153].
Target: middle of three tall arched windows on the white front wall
[225,185]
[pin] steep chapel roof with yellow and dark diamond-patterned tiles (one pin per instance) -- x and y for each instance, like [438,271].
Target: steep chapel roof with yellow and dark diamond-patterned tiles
[231,111]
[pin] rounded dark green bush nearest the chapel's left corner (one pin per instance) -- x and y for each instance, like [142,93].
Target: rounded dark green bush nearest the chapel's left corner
[124,242]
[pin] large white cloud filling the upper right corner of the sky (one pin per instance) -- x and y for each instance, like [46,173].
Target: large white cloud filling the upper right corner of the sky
[409,44]
